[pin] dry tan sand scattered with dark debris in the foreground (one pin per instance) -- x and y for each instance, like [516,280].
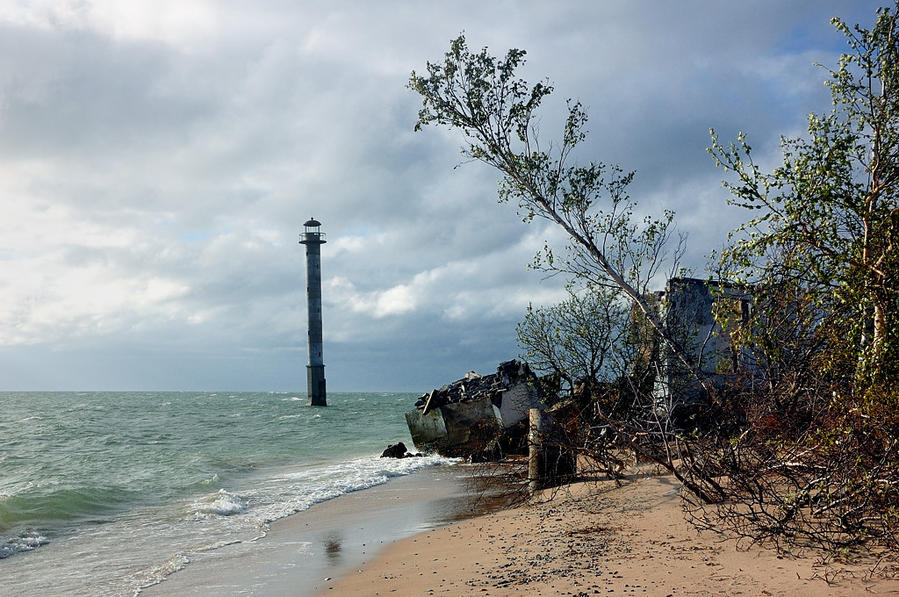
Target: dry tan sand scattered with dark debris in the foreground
[598,540]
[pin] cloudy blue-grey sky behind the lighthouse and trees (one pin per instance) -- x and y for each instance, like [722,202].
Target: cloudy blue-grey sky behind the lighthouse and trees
[158,159]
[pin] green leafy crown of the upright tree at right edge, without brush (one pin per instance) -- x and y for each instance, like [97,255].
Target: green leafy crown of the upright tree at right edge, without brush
[828,218]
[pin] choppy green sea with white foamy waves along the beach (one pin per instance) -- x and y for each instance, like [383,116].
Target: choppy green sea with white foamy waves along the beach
[107,493]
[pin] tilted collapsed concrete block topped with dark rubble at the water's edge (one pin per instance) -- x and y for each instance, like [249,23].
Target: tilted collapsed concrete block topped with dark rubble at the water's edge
[461,419]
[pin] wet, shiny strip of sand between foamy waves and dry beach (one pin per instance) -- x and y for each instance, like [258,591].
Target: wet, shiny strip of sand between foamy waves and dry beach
[302,552]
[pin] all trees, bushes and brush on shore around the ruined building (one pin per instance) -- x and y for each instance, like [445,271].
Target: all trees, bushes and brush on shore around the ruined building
[801,446]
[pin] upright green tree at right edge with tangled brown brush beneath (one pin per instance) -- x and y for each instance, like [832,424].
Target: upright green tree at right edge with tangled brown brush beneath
[816,462]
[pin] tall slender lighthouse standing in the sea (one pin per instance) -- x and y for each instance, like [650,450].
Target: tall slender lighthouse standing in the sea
[313,238]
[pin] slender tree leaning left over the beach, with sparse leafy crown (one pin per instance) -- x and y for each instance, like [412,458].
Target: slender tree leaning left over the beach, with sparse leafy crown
[481,96]
